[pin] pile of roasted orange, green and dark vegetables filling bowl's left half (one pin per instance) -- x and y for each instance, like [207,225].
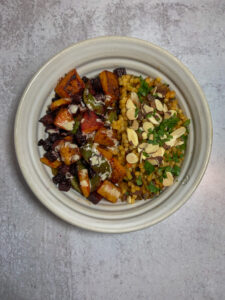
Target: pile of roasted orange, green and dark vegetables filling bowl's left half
[81,143]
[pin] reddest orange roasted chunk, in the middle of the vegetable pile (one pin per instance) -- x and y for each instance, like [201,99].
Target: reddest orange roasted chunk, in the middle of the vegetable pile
[90,122]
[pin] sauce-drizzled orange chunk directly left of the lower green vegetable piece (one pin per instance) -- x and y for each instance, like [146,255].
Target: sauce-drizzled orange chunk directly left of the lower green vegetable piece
[69,152]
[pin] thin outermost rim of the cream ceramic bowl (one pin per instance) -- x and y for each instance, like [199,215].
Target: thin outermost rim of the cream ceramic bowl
[208,117]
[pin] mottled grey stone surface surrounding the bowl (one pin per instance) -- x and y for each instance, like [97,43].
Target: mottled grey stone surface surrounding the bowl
[41,257]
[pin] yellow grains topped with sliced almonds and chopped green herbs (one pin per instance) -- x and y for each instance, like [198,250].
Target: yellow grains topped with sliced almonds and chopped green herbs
[152,131]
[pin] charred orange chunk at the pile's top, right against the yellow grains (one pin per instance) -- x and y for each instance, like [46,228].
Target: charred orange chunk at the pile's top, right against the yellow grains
[110,85]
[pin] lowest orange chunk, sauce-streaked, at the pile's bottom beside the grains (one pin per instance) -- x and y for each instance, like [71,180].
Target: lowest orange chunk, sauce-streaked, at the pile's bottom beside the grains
[109,191]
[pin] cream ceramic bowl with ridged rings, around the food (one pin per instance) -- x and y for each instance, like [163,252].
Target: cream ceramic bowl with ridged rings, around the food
[90,57]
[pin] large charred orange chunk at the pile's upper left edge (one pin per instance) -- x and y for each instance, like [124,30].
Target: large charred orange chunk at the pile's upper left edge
[70,85]
